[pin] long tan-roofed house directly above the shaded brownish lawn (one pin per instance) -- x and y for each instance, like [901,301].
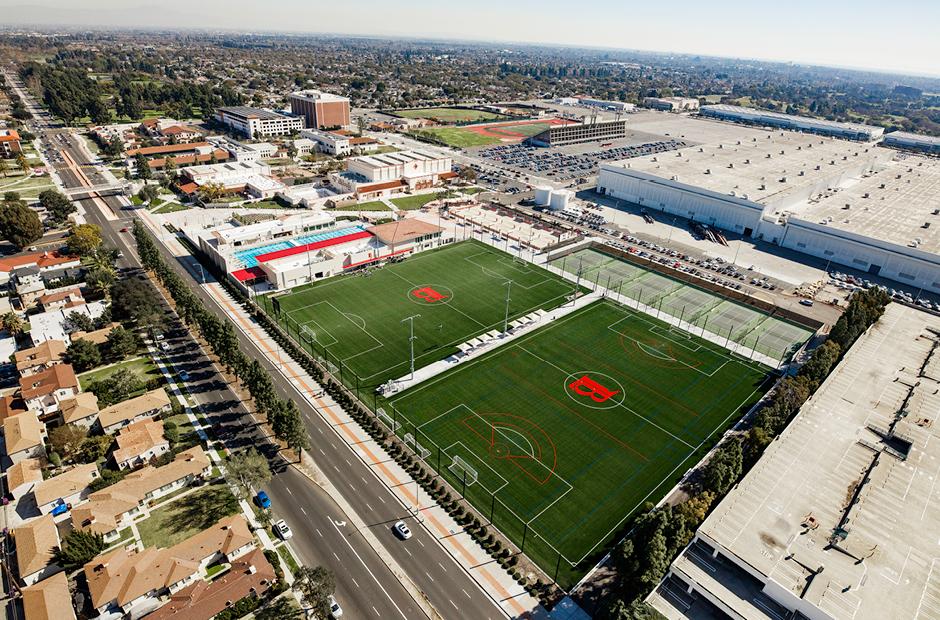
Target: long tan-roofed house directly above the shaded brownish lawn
[109,510]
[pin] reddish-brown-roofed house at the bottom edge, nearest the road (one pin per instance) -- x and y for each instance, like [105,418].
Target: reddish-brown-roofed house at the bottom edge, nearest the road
[250,574]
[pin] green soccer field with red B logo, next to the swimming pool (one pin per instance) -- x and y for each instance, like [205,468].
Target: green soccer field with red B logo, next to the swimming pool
[459,291]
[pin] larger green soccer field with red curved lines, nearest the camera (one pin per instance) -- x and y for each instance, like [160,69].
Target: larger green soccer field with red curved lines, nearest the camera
[563,433]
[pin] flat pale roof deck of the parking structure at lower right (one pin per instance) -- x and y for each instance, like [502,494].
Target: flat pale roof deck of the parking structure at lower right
[841,510]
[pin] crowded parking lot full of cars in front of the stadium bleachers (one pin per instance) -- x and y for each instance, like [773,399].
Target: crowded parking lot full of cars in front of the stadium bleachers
[563,166]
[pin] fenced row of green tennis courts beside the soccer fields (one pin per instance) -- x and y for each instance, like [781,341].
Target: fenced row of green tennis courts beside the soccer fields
[745,325]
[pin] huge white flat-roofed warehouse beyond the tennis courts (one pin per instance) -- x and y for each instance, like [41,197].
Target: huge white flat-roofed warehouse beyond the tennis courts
[862,206]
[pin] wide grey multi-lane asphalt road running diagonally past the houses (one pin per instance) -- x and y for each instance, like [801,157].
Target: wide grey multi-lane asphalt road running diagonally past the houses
[366,588]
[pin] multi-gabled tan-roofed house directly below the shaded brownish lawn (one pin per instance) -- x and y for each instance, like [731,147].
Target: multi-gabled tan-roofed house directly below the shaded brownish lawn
[123,580]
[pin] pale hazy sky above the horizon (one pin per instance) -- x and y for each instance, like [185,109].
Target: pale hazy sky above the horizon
[899,35]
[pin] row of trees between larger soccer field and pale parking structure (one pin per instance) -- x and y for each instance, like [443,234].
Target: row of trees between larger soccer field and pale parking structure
[658,534]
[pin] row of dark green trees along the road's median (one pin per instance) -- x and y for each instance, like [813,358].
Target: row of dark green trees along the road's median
[281,414]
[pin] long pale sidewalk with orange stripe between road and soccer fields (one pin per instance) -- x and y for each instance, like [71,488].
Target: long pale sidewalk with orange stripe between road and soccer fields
[502,588]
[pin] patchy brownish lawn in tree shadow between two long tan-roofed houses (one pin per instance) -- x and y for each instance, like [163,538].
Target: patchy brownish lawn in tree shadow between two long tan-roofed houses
[181,519]
